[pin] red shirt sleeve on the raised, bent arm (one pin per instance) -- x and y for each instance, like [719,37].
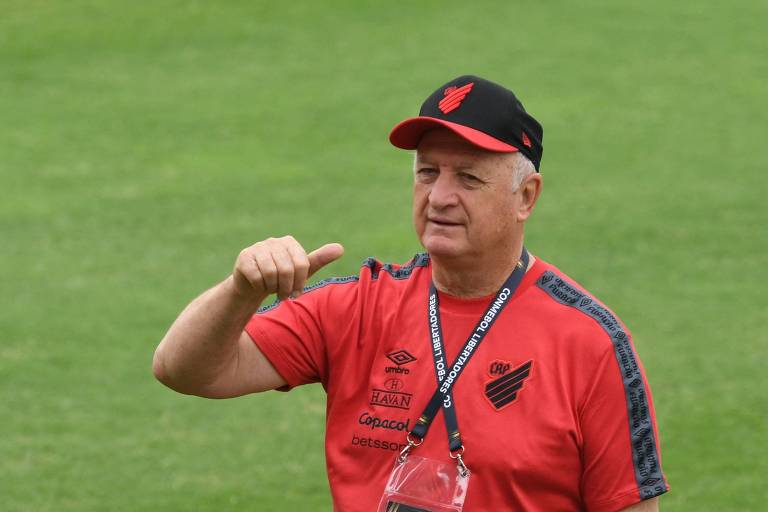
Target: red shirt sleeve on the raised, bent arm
[293,334]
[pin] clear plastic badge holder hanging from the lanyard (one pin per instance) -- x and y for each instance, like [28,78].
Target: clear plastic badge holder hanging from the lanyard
[424,485]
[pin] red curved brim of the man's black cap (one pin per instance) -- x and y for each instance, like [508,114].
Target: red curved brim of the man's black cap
[408,133]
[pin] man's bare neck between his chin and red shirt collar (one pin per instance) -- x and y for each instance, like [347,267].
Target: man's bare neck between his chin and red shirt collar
[477,278]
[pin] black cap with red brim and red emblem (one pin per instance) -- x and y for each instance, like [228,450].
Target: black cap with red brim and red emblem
[482,112]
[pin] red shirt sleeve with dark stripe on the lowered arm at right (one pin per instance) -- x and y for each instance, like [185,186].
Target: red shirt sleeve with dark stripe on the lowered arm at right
[620,449]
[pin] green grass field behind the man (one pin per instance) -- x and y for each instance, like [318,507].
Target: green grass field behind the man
[143,144]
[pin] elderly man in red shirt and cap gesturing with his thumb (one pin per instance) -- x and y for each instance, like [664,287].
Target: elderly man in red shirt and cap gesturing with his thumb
[536,383]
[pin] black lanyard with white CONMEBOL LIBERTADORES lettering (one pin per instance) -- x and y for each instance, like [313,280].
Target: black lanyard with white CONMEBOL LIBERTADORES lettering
[448,375]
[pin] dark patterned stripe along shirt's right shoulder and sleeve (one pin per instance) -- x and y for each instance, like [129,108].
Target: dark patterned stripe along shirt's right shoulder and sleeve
[650,480]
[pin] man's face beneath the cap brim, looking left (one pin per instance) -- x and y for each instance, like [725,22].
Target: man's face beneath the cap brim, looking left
[463,203]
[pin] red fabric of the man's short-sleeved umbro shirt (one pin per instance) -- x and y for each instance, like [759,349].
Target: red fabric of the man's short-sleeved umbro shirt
[562,444]
